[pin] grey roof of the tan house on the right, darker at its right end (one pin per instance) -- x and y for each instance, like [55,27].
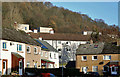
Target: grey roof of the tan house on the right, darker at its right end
[98,48]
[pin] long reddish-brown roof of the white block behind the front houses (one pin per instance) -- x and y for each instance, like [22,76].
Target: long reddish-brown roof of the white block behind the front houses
[61,36]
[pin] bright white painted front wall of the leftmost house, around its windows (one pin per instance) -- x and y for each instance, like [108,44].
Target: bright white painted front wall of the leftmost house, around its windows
[6,53]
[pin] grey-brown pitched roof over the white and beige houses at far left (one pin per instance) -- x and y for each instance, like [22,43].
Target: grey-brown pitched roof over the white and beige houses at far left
[18,36]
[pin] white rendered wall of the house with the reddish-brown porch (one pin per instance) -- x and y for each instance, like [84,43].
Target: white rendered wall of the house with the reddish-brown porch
[12,48]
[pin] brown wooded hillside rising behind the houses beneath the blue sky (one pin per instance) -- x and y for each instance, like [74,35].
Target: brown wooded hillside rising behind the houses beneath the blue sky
[45,14]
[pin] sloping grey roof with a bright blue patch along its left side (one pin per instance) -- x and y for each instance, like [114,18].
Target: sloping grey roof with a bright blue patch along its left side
[46,45]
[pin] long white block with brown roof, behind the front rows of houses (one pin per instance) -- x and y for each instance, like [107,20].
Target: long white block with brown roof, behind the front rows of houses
[57,40]
